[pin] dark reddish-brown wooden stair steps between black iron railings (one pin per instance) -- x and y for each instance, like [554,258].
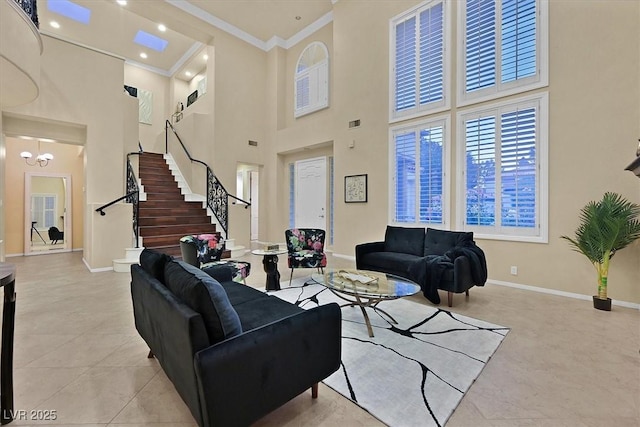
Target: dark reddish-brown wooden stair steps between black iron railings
[165,216]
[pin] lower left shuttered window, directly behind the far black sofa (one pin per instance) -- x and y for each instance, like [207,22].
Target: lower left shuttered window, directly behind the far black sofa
[418,165]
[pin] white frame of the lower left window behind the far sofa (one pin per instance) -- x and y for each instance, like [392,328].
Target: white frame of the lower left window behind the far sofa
[445,122]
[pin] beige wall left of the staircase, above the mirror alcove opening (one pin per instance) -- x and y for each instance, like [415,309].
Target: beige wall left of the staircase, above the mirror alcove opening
[84,87]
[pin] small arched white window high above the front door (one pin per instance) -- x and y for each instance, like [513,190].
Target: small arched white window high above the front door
[312,80]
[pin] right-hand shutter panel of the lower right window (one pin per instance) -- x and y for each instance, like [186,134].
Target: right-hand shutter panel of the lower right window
[518,168]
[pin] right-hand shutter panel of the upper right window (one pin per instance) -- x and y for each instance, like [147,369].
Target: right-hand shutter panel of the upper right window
[518,39]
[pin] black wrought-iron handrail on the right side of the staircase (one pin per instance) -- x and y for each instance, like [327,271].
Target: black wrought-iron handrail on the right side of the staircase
[217,196]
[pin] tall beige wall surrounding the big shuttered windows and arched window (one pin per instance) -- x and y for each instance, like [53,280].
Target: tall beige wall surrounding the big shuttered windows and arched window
[594,109]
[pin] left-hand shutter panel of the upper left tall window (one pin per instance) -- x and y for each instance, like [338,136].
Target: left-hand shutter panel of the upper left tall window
[405,60]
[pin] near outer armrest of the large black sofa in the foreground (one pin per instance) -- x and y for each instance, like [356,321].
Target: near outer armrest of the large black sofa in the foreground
[244,378]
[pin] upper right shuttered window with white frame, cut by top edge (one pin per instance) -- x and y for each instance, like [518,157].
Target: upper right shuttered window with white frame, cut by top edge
[504,48]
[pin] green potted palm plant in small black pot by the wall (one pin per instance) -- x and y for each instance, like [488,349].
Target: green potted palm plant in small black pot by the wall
[606,227]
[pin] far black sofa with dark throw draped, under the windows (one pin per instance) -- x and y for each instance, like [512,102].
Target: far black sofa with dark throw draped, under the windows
[437,259]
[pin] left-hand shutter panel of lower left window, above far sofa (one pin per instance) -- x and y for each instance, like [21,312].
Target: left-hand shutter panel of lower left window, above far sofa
[405,191]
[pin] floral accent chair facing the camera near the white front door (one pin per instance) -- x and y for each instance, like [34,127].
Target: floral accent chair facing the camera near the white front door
[305,248]
